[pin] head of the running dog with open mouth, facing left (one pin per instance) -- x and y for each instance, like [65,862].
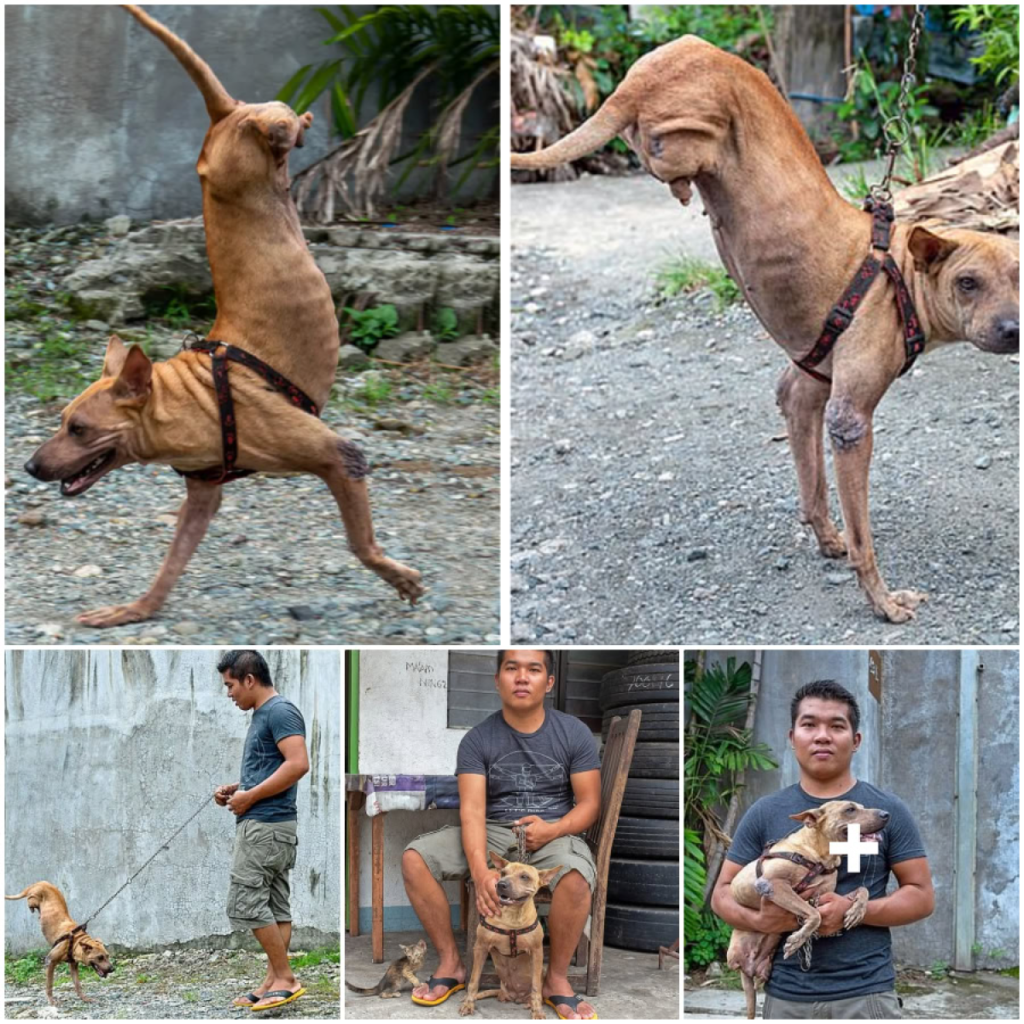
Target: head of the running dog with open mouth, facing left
[97,426]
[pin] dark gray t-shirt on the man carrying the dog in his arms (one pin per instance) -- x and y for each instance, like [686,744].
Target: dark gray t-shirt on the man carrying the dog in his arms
[856,963]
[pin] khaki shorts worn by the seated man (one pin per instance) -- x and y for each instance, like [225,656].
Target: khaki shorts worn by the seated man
[442,850]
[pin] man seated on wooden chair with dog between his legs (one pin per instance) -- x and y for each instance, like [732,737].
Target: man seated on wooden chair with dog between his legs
[525,766]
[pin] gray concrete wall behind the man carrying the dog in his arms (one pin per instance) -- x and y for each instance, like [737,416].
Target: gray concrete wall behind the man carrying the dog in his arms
[910,748]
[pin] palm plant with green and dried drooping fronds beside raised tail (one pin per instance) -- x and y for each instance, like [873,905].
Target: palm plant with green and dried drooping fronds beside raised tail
[443,54]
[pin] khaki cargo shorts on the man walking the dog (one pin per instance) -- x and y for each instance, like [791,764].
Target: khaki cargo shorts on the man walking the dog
[265,854]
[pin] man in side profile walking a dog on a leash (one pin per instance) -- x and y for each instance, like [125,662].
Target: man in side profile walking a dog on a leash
[274,760]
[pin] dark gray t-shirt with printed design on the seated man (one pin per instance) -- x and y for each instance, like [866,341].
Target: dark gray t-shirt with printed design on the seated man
[529,773]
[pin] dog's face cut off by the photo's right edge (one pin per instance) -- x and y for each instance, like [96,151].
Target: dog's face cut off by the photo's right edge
[974,285]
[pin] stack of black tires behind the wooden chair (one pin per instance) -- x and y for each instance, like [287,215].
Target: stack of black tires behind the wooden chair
[644,879]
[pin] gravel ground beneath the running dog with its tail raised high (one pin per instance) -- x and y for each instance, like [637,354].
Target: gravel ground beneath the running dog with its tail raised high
[275,567]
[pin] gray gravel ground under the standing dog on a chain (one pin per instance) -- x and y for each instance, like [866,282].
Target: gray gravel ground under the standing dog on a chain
[653,501]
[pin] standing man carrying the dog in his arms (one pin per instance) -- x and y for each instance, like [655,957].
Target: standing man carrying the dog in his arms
[851,976]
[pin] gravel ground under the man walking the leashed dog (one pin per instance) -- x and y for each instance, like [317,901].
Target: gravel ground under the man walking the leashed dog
[193,985]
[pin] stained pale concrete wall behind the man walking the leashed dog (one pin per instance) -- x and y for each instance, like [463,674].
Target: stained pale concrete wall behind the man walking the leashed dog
[108,752]
